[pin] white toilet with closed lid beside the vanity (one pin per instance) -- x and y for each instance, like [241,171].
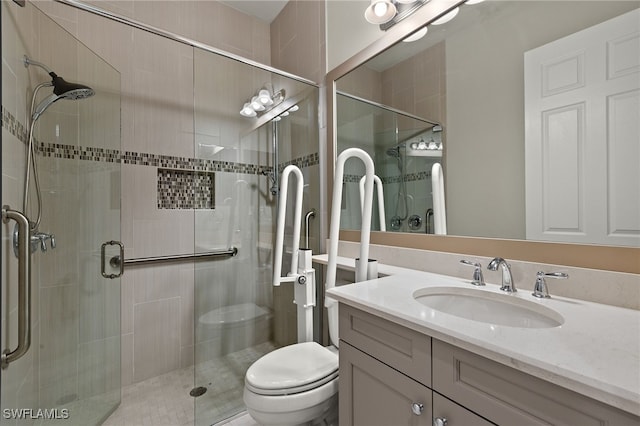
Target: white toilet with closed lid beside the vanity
[296,384]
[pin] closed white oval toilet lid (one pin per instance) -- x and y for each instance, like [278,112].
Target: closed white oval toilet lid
[293,368]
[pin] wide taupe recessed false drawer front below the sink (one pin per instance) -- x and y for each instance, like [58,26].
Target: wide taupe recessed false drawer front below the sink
[510,397]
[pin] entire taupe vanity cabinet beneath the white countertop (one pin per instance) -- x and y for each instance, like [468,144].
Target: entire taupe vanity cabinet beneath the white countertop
[392,375]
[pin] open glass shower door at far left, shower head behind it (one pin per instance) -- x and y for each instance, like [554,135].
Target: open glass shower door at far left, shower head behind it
[71,372]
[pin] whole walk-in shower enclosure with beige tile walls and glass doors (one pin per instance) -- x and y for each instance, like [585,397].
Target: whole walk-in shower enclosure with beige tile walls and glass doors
[192,175]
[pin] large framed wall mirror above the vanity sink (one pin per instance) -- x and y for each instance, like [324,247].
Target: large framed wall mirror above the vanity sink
[473,76]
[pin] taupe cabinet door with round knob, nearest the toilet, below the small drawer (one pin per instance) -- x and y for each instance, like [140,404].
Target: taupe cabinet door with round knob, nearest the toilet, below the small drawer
[372,393]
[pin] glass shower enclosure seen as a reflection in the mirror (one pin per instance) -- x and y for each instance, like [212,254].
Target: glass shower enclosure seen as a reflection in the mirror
[404,148]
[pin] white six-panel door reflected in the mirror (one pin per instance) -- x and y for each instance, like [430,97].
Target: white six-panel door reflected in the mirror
[582,136]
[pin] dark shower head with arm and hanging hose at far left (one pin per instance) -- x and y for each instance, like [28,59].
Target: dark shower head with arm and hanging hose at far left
[61,90]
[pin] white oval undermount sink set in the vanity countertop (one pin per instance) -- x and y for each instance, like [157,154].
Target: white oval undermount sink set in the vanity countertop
[487,307]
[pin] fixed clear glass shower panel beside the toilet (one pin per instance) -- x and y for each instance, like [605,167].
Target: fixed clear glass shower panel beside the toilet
[238,314]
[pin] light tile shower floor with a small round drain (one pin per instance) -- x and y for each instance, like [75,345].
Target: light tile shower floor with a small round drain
[165,401]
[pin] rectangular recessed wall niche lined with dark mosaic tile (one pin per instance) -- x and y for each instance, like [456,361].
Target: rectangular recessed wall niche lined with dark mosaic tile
[185,189]
